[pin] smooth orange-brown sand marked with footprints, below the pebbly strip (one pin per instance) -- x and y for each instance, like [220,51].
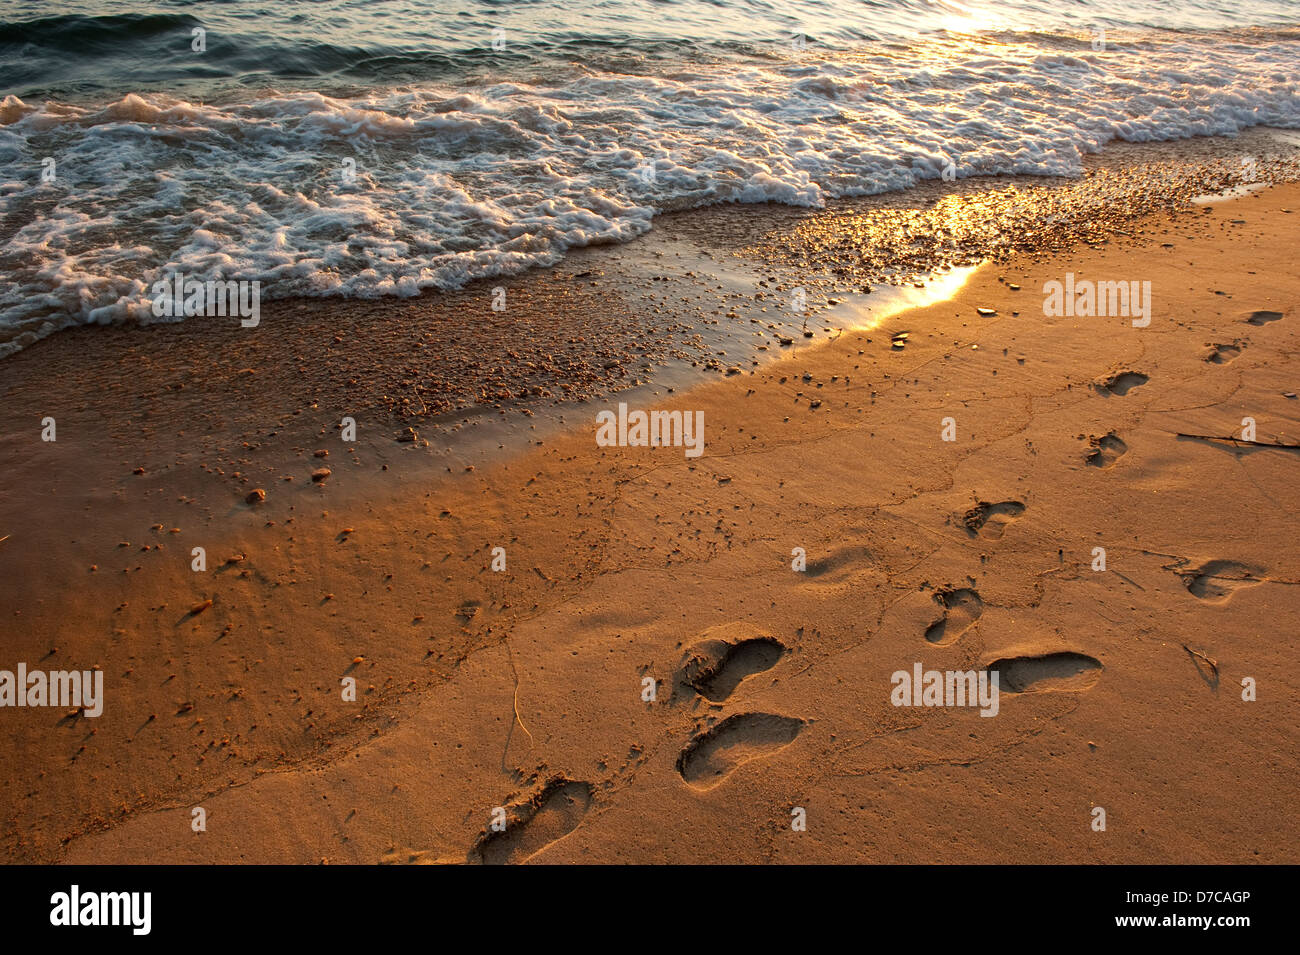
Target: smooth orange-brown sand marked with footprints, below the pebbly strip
[525,689]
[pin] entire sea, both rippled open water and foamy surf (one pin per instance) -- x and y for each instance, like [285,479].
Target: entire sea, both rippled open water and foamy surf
[370,147]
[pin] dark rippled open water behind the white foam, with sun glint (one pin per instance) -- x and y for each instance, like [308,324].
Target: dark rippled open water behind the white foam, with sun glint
[119,46]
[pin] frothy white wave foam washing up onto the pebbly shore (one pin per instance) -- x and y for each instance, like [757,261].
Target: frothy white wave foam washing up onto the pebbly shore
[461,184]
